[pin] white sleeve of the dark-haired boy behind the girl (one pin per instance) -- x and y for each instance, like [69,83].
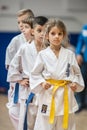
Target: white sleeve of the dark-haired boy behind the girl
[15,68]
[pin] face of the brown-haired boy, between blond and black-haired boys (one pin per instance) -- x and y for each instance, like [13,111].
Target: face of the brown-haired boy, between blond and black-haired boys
[27,31]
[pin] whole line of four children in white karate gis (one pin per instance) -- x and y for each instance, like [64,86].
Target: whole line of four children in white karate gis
[49,72]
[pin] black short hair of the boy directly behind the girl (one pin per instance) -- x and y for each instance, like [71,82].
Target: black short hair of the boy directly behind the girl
[40,20]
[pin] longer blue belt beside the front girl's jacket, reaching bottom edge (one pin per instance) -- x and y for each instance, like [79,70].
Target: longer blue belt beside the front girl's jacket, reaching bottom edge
[29,100]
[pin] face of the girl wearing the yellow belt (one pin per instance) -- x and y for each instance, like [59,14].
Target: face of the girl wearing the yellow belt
[55,36]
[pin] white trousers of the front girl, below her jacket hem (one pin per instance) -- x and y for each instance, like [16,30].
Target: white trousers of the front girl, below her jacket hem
[42,123]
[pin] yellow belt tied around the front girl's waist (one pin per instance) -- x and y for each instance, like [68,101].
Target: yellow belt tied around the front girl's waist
[57,84]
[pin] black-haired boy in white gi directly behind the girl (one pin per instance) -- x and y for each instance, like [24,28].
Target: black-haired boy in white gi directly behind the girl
[24,60]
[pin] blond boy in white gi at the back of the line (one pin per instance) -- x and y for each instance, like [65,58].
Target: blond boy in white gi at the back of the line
[11,50]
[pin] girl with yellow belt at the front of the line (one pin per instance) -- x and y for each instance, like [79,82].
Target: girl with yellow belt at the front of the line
[56,76]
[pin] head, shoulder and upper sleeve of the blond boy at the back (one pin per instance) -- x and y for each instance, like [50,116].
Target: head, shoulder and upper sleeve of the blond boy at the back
[20,39]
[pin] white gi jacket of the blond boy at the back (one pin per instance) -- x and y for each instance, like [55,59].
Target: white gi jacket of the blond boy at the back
[11,50]
